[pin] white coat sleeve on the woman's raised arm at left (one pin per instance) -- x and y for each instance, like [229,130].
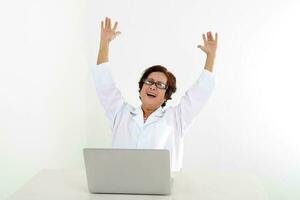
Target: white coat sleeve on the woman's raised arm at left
[109,95]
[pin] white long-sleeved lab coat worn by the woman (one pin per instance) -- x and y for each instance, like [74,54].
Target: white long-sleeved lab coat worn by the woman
[164,128]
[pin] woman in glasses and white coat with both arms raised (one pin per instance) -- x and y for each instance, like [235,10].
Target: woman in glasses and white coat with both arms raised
[151,125]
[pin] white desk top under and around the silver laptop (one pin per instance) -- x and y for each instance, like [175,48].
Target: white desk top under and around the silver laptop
[71,185]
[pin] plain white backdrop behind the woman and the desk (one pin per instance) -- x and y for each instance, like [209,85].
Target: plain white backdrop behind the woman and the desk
[49,110]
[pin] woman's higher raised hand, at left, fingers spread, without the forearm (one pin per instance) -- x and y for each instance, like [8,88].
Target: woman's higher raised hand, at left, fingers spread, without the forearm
[108,33]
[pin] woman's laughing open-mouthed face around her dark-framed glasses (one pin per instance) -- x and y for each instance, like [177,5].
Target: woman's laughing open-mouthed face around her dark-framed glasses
[151,96]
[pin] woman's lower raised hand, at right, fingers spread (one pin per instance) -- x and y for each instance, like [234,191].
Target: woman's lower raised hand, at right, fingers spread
[210,43]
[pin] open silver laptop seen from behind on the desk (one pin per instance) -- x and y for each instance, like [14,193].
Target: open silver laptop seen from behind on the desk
[134,171]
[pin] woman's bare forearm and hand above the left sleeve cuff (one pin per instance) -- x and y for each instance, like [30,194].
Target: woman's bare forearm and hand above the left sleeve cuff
[107,35]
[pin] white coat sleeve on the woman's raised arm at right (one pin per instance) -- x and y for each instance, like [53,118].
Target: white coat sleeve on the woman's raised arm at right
[194,100]
